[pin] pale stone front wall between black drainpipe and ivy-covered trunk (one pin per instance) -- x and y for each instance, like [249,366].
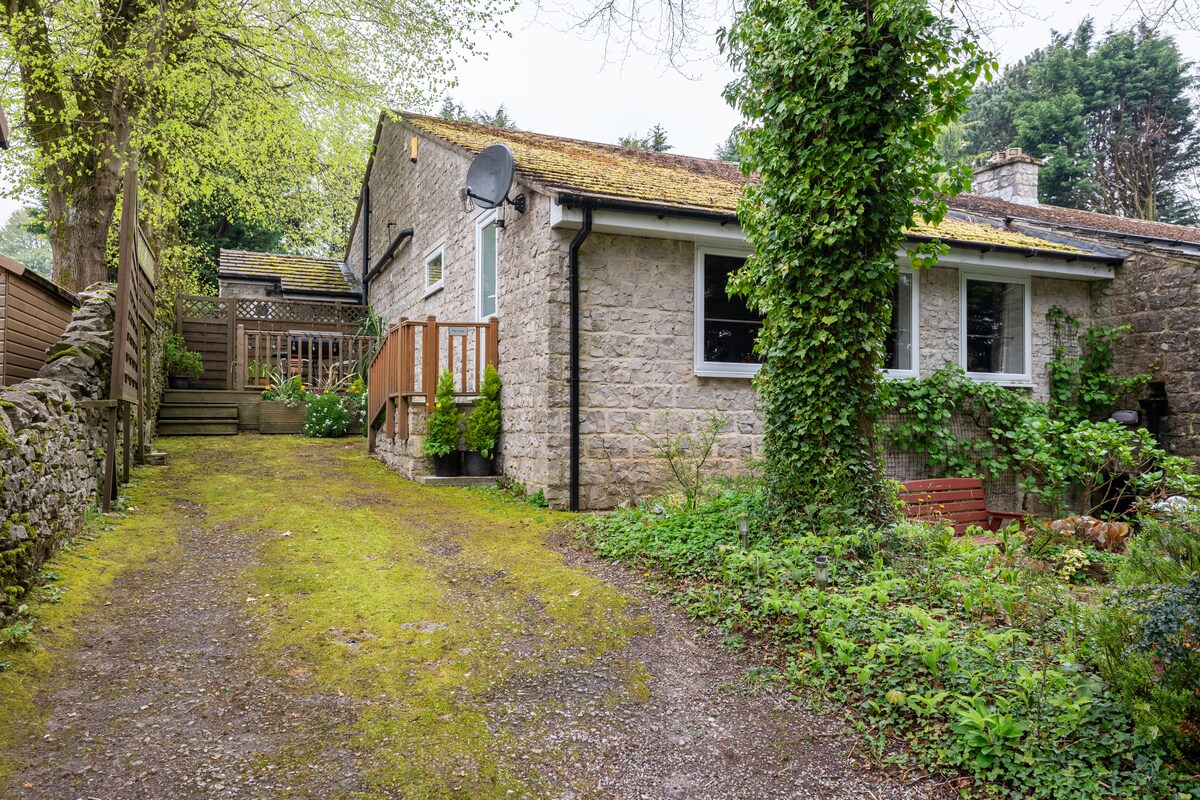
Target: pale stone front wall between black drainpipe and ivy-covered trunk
[638,376]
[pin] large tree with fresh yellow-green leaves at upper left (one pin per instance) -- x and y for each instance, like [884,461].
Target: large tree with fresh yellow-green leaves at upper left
[199,86]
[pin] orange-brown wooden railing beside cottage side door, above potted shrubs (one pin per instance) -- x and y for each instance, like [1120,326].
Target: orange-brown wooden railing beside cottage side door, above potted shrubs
[407,364]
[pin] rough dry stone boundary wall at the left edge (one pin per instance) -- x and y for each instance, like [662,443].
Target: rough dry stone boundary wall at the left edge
[52,447]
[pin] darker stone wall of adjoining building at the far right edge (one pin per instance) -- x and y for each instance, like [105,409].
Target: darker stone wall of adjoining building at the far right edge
[1159,294]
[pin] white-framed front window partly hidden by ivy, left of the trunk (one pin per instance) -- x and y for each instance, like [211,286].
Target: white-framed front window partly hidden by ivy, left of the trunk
[725,328]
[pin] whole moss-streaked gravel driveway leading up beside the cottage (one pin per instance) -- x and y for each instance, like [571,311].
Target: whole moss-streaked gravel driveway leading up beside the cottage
[317,628]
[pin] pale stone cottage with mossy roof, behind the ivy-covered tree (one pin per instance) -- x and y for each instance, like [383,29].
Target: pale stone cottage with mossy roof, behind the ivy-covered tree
[609,290]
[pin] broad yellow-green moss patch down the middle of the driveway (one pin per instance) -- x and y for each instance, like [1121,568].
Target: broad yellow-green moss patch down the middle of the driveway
[421,605]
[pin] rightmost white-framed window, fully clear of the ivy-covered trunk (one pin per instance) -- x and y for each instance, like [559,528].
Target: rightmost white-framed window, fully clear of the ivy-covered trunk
[997,328]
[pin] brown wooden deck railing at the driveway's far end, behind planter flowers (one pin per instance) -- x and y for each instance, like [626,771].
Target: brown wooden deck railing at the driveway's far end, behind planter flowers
[317,357]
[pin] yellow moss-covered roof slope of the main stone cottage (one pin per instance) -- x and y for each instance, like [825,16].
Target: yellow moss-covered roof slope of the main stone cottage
[557,165]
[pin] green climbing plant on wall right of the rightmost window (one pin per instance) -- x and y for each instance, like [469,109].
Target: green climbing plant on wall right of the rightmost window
[1087,387]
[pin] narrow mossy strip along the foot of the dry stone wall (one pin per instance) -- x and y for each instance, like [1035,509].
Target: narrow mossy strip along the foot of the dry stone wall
[87,567]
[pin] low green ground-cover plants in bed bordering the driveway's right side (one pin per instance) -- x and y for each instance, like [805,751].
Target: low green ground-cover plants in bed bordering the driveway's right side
[973,657]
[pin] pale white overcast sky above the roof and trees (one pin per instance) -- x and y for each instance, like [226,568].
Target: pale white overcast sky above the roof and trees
[557,80]
